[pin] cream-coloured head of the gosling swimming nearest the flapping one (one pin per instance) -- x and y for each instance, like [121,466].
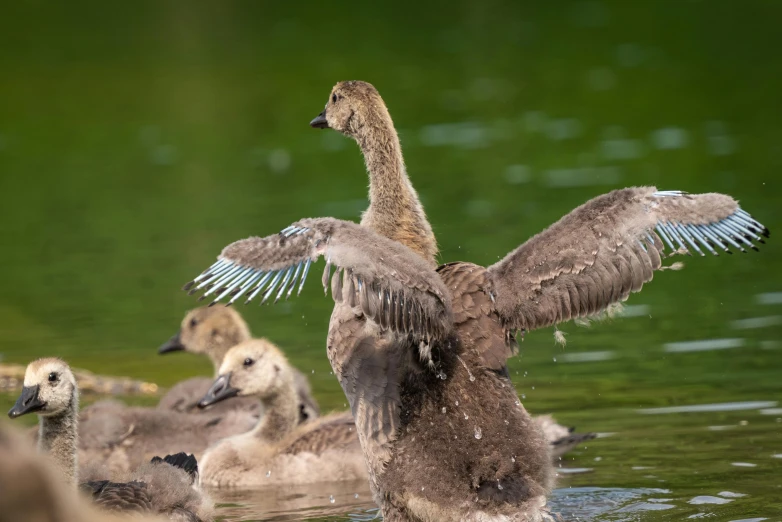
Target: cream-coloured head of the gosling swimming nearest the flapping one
[253,368]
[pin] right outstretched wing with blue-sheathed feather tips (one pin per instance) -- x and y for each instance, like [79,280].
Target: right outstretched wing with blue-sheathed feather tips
[609,247]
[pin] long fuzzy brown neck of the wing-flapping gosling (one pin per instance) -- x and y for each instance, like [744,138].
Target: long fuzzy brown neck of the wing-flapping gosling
[394,208]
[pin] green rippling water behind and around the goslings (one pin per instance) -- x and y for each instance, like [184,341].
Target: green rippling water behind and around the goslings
[136,139]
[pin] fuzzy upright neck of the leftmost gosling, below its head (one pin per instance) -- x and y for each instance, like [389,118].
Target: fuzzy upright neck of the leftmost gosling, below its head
[58,436]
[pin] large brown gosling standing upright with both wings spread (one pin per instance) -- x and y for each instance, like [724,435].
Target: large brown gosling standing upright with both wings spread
[419,352]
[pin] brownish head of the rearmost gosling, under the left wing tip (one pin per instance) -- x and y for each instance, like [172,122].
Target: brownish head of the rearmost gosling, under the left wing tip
[210,331]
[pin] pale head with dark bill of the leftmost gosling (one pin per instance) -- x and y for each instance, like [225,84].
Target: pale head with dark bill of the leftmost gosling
[49,387]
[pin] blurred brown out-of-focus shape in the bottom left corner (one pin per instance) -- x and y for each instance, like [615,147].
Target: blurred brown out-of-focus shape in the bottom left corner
[31,490]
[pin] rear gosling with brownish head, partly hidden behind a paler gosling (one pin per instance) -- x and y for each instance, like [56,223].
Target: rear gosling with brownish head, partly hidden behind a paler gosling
[211,332]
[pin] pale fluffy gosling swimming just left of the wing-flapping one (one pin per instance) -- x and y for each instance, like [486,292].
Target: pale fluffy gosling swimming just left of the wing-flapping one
[278,450]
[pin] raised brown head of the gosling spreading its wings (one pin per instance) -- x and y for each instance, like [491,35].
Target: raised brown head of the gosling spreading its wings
[350,108]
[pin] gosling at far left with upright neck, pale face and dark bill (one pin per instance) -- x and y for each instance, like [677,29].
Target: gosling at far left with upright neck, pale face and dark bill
[164,486]
